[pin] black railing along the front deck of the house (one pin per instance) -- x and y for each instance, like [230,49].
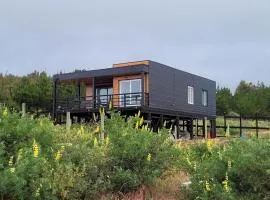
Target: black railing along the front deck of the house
[125,100]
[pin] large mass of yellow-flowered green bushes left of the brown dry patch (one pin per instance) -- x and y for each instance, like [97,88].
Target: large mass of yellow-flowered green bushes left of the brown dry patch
[41,161]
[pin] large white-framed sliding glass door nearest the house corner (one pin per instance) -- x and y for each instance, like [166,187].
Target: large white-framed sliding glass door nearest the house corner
[130,92]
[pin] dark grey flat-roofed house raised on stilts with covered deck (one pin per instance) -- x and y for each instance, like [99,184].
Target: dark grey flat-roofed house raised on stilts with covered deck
[160,92]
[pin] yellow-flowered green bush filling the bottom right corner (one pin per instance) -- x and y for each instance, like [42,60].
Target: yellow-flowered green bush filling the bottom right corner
[238,169]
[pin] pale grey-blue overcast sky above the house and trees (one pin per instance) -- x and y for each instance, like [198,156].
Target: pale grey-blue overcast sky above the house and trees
[224,40]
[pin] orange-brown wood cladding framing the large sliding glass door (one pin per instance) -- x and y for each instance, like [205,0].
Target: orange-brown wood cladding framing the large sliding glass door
[116,86]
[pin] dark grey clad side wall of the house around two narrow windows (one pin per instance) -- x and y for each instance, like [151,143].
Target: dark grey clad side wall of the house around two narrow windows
[168,90]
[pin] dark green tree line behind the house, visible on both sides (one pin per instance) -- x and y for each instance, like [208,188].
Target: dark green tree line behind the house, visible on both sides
[35,90]
